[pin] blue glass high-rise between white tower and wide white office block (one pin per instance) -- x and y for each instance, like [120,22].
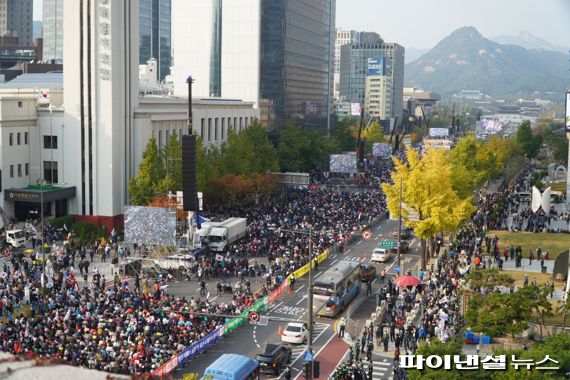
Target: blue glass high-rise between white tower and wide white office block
[155,34]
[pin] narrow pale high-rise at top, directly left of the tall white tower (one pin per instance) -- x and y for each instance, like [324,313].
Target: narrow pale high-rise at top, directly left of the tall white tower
[53,30]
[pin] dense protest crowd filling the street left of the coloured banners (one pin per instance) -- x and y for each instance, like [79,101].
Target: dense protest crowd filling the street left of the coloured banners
[133,326]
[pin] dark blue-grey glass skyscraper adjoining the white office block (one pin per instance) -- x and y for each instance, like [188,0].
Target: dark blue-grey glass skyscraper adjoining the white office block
[297,40]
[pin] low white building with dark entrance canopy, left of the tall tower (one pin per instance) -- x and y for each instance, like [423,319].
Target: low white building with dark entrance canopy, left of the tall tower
[31,147]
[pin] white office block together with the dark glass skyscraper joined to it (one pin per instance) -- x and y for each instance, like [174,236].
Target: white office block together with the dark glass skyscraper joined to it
[278,54]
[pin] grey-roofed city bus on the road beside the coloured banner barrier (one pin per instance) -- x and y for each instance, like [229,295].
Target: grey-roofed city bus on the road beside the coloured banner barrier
[335,288]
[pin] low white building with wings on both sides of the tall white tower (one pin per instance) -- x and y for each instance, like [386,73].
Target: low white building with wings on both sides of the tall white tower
[36,143]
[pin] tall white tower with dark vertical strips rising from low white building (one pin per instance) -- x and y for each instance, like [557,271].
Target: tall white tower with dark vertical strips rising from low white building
[101,55]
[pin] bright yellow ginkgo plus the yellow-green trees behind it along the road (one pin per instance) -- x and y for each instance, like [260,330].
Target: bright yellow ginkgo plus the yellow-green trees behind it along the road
[438,185]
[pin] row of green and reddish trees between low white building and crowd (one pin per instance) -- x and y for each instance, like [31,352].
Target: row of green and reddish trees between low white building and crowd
[234,173]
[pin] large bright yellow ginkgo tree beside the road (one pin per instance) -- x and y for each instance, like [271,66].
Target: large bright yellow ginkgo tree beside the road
[428,194]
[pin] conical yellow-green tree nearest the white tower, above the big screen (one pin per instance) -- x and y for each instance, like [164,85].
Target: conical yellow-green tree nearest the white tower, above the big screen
[144,185]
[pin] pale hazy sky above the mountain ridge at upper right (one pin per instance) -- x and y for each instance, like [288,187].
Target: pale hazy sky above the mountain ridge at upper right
[422,24]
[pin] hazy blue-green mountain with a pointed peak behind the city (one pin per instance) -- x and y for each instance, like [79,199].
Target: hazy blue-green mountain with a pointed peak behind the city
[467,60]
